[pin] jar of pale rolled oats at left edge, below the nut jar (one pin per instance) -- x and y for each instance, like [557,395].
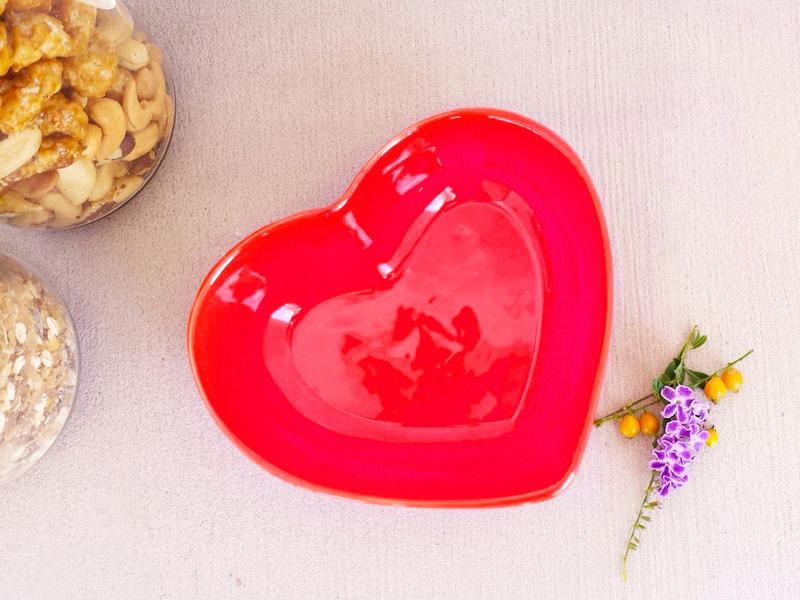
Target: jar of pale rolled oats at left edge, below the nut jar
[38,368]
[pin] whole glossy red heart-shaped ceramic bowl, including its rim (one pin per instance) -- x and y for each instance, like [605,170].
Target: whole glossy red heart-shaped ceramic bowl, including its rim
[436,337]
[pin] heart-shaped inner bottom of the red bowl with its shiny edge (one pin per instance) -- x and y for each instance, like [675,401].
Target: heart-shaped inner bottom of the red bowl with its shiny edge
[429,354]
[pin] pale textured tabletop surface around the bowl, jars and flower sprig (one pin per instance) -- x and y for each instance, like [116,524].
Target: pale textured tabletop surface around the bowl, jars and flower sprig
[687,115]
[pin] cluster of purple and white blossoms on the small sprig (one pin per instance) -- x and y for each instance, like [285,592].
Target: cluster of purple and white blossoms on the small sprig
[683,437]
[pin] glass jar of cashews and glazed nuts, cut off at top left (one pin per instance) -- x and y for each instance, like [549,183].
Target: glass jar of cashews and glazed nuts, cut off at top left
[86,111]
